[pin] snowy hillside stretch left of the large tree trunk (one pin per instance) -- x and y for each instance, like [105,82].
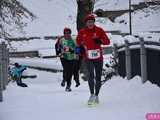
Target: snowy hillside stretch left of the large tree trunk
[53,16]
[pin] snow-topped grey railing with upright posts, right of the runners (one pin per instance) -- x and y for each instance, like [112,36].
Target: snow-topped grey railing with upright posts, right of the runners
[142,45]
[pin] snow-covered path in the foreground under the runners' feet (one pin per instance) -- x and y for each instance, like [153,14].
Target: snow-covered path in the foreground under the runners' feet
[45,99]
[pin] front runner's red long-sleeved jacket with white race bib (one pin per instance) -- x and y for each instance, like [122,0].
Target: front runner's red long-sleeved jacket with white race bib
[86,39]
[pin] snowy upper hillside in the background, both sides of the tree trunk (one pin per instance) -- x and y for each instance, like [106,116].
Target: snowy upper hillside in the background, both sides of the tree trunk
[54,15]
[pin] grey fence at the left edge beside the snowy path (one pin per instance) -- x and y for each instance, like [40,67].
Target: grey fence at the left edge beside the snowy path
[4,63]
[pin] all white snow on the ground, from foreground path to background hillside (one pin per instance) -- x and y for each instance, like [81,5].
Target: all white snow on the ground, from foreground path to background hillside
[45,99]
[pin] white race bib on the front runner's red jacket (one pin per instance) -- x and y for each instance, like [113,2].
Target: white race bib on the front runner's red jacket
[94,54]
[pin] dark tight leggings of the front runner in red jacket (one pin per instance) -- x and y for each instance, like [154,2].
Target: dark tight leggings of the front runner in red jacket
[94,85]
